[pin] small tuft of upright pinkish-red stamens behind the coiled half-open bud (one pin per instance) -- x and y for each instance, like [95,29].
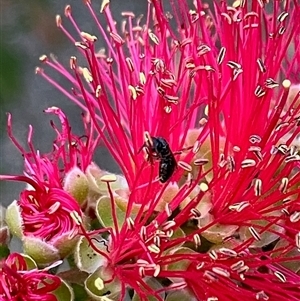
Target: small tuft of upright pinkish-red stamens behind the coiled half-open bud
[69,151]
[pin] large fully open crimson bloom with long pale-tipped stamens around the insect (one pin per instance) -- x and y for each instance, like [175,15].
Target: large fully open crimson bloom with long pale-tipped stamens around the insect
[217,90]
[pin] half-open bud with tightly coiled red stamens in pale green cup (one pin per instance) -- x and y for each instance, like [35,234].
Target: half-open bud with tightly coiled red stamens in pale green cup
[42,219]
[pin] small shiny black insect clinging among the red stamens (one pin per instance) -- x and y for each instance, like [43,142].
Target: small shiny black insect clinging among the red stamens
[159,149]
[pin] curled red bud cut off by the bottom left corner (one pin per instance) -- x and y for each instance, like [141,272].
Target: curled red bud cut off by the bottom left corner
[19,283]
